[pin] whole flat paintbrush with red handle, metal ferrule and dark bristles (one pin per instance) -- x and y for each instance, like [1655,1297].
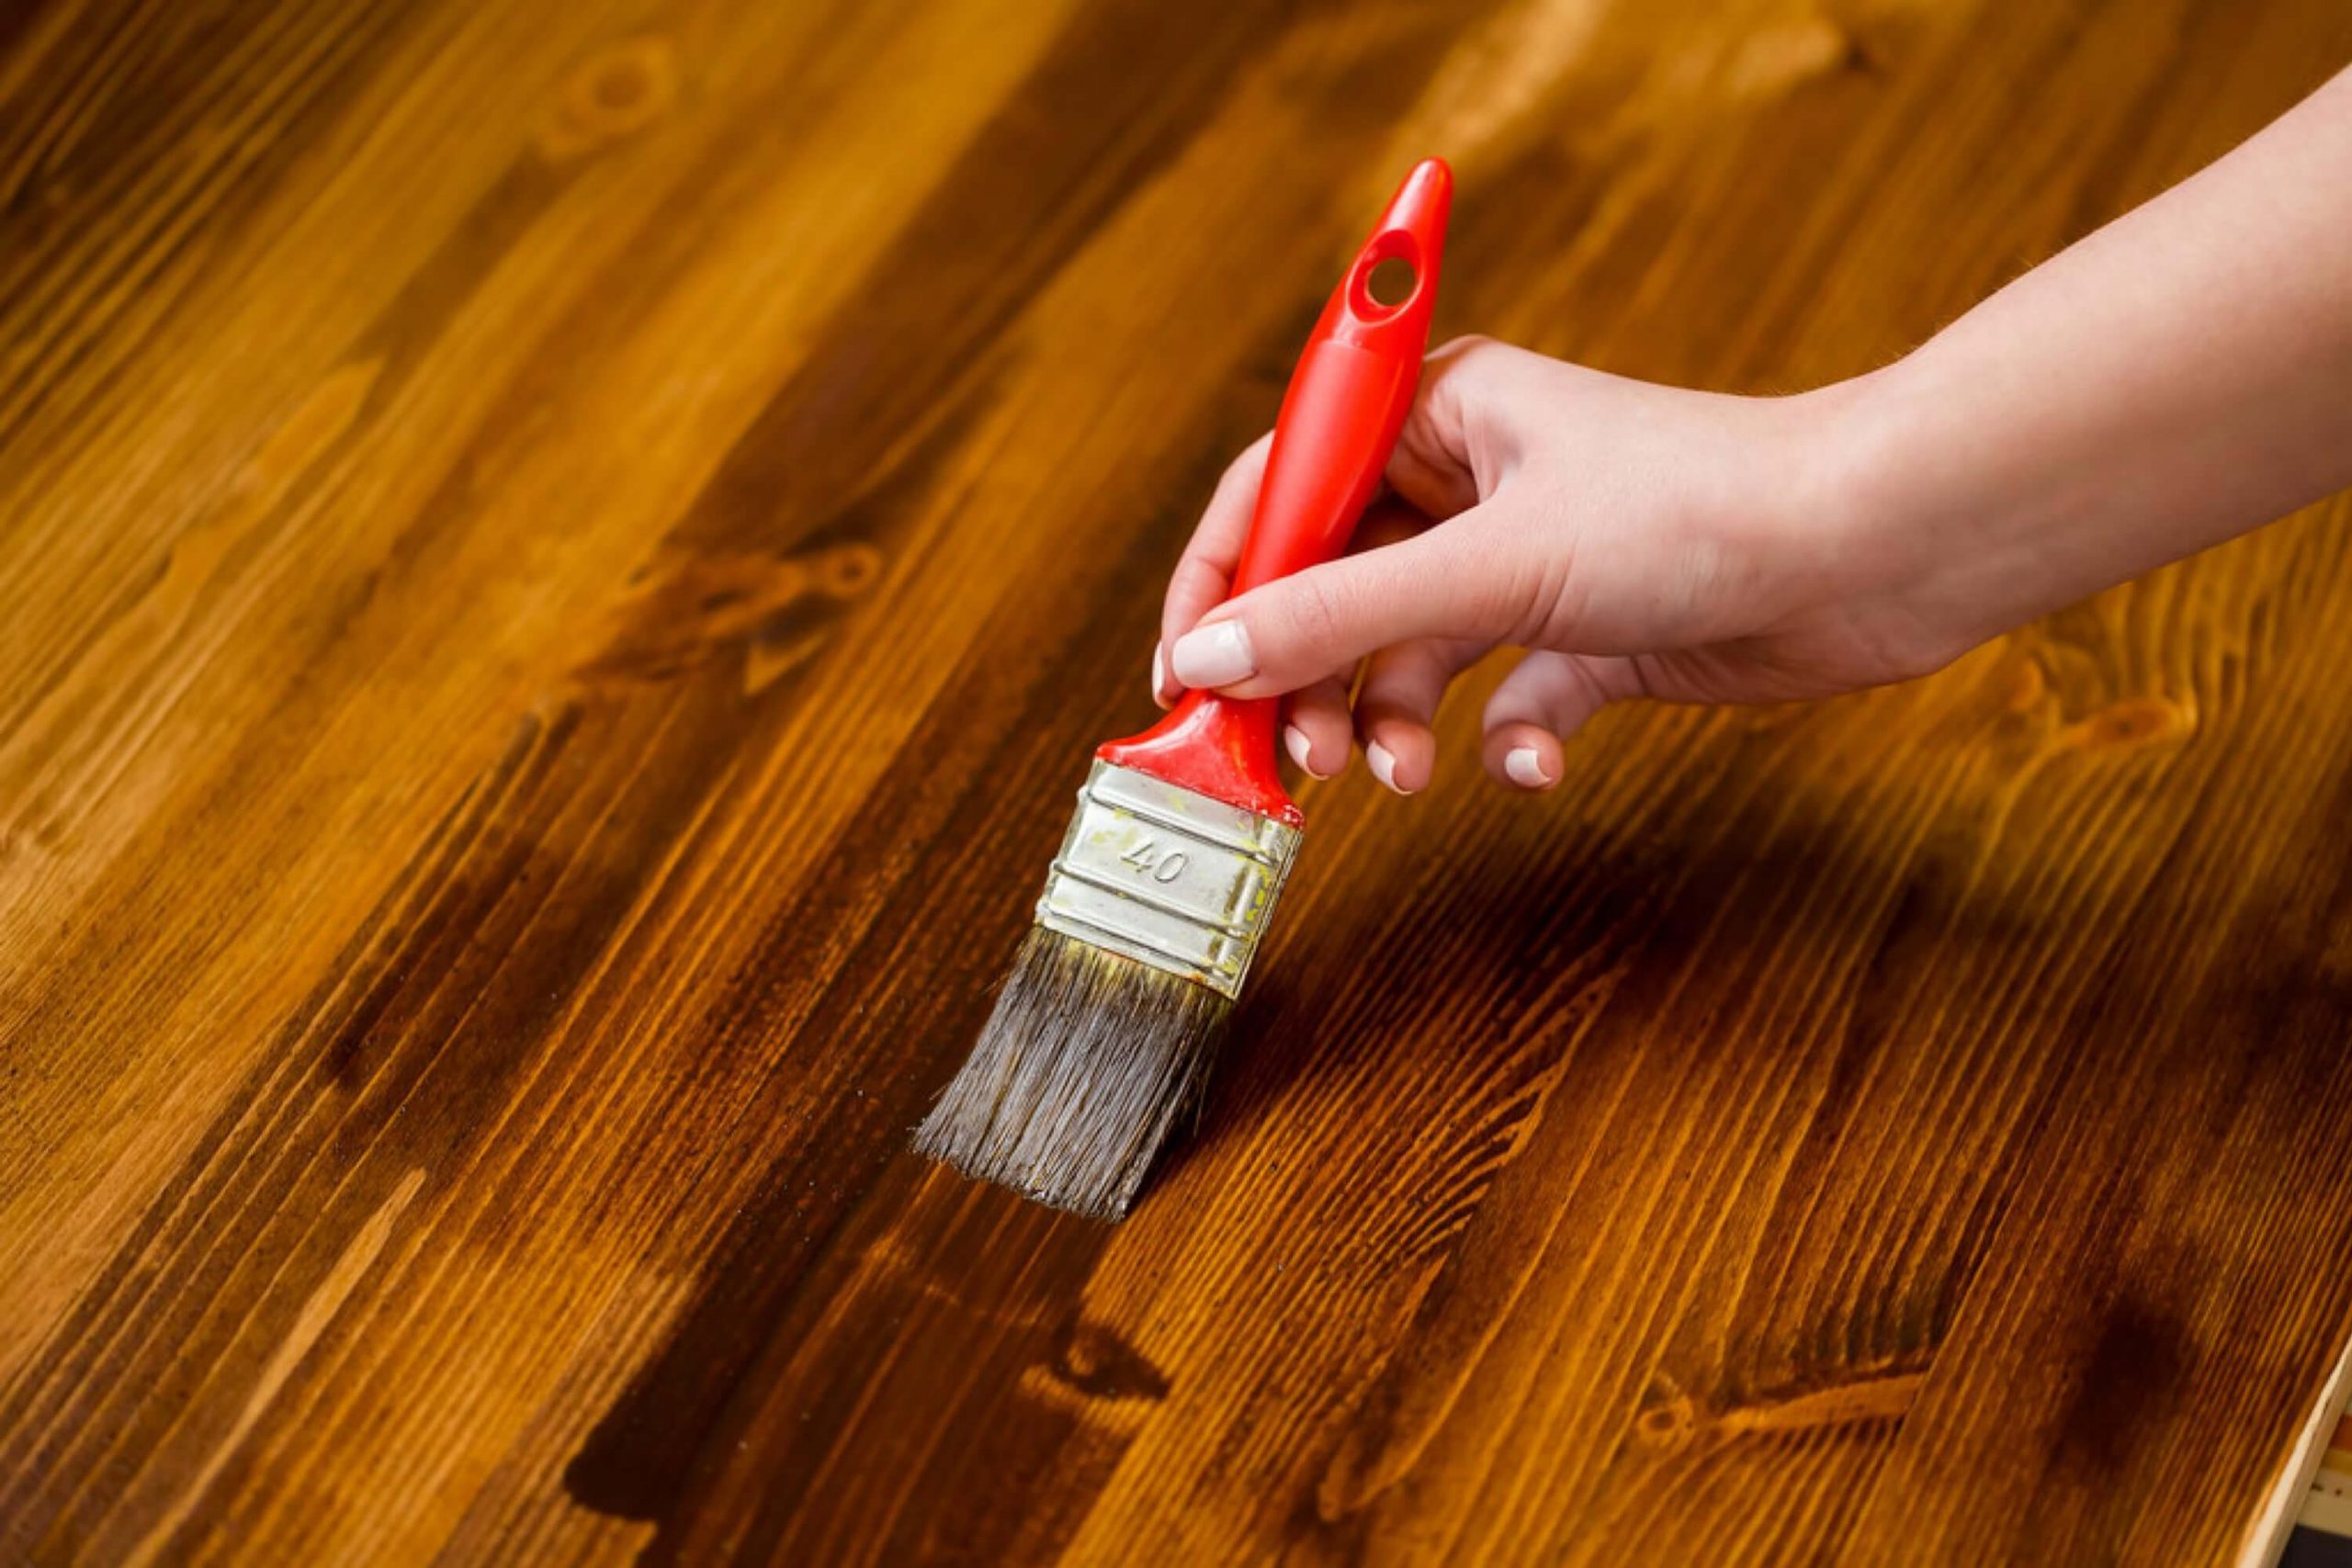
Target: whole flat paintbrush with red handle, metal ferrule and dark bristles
[1165,885]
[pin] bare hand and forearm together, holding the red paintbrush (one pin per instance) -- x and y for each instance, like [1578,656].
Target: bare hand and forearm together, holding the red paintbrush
[2170,382]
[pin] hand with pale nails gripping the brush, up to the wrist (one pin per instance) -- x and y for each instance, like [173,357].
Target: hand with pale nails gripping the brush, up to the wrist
[1636,540]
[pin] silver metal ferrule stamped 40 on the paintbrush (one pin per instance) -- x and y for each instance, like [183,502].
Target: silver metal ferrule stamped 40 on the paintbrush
[1168,878]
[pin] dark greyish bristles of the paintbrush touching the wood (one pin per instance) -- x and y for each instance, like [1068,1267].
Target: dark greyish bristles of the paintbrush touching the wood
[1078,1078]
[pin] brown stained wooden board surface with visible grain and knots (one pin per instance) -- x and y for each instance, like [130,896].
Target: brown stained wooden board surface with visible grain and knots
[559,568]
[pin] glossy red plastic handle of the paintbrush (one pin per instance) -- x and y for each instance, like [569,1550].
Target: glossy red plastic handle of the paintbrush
[1339,422]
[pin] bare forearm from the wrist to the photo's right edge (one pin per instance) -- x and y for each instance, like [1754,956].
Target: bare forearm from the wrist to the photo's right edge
[2174,380]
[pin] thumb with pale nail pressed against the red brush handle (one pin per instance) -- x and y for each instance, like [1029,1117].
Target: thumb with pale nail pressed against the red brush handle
[1457,579]
